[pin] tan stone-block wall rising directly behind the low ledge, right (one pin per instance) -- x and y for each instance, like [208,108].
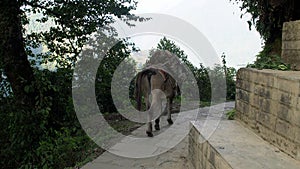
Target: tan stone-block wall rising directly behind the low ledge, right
[268,102]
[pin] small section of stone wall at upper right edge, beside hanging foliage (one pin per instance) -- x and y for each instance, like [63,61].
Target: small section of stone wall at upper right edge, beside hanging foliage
[291,44]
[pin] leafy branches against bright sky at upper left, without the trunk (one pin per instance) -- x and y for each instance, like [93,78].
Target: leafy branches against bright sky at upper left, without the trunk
[72,24]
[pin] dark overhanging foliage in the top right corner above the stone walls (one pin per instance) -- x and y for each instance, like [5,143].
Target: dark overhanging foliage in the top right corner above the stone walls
[268,16]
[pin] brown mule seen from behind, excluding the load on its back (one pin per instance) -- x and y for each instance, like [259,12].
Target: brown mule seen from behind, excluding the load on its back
[157,84]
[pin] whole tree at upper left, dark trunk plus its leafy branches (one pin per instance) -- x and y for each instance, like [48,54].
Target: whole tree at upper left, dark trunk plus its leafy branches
[73,22]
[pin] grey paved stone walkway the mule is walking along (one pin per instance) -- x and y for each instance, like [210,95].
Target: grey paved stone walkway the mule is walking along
[168,149]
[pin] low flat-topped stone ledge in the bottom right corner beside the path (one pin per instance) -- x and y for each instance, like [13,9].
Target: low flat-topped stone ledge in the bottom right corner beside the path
[232,146]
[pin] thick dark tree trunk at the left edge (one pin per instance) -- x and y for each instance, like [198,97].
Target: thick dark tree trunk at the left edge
[12,51]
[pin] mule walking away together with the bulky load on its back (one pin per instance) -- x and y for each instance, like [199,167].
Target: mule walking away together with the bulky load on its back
[154,81]
